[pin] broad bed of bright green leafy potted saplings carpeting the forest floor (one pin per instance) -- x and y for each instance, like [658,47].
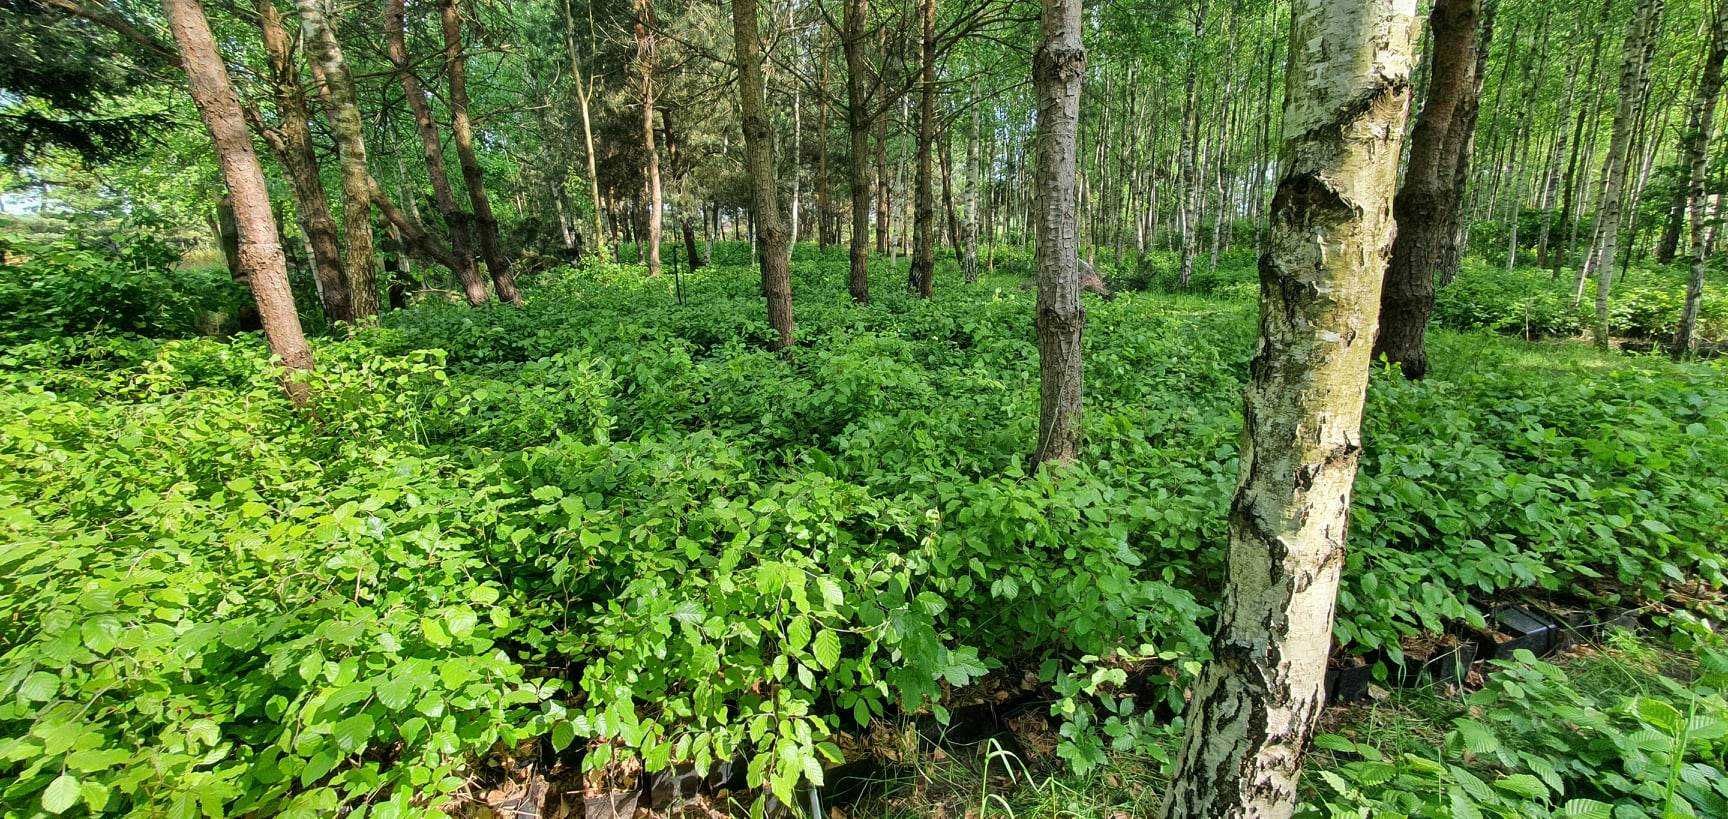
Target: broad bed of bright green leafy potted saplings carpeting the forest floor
[616,526]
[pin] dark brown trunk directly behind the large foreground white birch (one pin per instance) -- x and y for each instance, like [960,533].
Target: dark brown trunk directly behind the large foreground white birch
[1430,194]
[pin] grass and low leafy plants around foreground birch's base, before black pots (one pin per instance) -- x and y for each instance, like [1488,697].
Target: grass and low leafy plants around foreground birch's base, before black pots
[1625,728]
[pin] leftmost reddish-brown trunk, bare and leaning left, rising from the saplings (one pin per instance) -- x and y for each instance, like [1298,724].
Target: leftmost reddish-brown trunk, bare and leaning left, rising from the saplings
[260,244]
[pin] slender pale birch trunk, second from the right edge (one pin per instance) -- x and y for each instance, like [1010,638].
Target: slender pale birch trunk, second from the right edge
[1634,87]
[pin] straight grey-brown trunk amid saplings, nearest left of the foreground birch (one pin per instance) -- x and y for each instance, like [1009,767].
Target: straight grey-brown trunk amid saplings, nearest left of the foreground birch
[1057,72]
